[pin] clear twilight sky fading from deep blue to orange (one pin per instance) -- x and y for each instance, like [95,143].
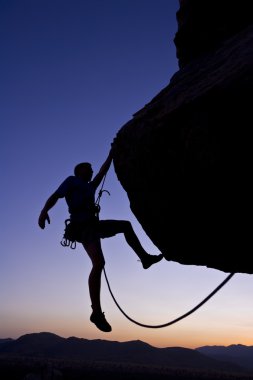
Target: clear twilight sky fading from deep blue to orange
[73,72]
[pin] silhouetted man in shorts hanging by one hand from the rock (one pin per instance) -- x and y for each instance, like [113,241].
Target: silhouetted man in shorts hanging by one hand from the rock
[79,192]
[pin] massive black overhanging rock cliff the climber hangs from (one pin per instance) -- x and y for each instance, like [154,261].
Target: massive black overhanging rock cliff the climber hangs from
[185,159]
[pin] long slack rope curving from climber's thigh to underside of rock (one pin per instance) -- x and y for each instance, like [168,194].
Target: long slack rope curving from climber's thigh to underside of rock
[174,320]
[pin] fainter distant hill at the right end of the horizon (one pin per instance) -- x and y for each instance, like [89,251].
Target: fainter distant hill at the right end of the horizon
[236,353]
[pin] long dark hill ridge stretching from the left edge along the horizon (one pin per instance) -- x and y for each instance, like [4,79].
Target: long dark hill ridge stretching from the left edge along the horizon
[48,345]
